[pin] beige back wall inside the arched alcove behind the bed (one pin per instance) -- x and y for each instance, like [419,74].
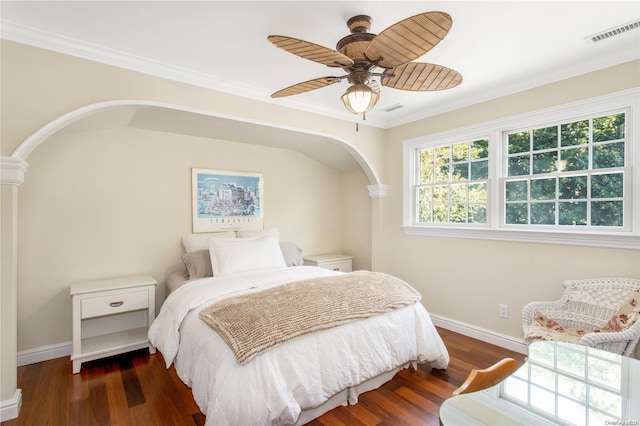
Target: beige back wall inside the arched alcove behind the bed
[117,201]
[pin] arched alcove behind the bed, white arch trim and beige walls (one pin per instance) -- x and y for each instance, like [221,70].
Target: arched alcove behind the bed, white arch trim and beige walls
[81,215]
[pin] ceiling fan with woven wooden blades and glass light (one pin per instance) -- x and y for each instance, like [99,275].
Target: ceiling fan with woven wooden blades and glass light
[362,54]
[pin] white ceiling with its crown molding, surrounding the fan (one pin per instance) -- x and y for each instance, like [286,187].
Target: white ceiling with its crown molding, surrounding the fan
[499,47]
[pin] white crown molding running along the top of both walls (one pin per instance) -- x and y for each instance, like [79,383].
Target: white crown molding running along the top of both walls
[62,44]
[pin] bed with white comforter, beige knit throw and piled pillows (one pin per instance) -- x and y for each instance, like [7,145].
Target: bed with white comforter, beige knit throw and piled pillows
[295,379]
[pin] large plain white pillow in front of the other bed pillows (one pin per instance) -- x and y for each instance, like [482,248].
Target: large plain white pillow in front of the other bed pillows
[231,256]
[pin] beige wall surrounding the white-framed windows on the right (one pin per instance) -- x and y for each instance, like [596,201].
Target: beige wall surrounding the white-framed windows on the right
[465,280]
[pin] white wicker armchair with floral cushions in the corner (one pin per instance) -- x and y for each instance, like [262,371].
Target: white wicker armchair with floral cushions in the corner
[603,313]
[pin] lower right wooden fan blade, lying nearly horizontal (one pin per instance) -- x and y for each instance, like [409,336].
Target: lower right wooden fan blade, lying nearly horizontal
[418,76]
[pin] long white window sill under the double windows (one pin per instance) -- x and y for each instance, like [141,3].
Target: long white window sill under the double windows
[608,240]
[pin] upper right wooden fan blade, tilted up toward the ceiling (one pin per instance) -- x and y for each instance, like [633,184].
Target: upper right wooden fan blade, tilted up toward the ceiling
[409,39]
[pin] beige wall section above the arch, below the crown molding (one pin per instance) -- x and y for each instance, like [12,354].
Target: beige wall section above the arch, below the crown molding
[39,86]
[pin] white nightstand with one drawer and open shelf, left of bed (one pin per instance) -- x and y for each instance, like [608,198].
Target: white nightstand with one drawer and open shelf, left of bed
[111,317]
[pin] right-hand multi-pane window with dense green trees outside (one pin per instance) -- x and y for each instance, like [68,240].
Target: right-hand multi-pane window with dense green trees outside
[570,174]
